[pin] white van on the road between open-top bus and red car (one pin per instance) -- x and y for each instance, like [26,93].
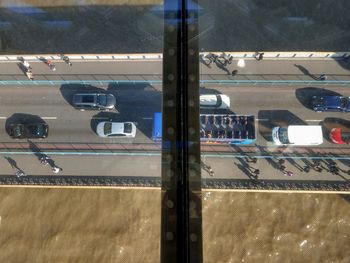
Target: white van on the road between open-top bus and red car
[298,135]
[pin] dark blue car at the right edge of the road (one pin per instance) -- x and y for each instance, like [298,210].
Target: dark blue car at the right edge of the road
[330,103]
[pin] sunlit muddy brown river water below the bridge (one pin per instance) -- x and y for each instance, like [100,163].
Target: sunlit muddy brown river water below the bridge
[123,225]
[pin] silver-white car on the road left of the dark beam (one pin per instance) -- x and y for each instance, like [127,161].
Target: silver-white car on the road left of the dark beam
[109,129]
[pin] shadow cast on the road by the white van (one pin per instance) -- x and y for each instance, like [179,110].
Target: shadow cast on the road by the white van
[268,119]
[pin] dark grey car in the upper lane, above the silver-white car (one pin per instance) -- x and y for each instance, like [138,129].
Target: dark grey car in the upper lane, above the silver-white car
[94,101]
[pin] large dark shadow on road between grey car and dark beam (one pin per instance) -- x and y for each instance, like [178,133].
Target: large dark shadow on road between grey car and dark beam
[136,103]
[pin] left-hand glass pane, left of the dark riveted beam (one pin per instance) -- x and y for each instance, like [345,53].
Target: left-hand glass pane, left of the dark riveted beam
[80,82]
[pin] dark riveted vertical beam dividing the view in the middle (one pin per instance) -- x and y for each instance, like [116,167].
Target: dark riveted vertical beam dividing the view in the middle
[181,223]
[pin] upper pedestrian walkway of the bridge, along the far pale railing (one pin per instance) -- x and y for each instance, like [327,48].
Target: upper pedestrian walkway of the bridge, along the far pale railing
[267,71]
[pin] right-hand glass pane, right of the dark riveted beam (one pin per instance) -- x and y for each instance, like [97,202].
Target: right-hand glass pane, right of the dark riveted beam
[267,58]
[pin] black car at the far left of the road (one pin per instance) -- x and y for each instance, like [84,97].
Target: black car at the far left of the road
[29,131]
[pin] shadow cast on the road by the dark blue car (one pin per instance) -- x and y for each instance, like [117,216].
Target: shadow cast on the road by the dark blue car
[304,95]
